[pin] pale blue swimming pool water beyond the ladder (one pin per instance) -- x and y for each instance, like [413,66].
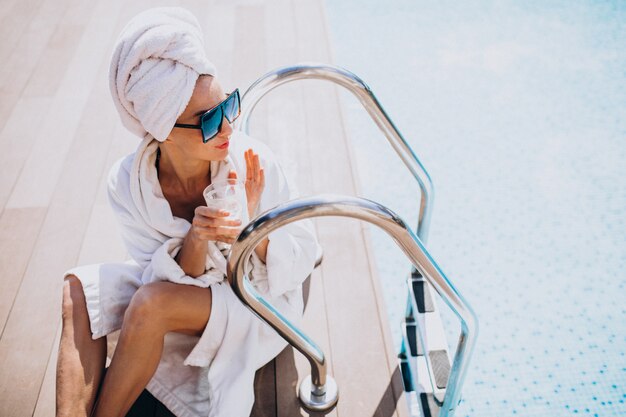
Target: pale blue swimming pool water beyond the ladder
[518,112]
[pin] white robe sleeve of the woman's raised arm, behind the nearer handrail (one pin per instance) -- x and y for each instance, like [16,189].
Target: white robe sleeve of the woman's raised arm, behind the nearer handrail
[293,249]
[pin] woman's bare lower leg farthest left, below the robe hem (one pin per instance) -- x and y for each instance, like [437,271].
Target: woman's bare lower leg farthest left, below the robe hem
[81,360]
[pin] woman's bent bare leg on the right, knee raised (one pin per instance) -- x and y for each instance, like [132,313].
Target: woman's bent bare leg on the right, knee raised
[155,309]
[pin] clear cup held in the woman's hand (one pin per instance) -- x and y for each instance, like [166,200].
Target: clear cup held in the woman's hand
[229,195]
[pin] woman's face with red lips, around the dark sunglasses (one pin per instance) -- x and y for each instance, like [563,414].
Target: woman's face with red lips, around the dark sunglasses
[207,94]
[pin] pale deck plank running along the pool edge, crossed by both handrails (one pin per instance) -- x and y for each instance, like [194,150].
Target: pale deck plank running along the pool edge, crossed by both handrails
[359,350]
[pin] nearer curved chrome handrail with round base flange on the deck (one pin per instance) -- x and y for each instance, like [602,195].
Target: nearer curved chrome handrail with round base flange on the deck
[396,228]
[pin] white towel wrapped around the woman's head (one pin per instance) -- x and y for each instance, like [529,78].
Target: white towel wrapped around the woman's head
[156,62]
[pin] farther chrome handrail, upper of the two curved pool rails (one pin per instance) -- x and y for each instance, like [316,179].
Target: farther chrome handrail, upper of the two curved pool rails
[345,78]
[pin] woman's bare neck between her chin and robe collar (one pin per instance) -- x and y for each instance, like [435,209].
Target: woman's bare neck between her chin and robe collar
[187,175]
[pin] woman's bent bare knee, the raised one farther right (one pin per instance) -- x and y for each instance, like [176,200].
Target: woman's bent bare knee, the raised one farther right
[147,307]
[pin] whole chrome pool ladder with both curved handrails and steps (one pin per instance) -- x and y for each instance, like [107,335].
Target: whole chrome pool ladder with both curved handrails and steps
[432,384]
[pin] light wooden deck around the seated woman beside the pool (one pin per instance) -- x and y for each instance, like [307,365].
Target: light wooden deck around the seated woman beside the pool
[59,134]
